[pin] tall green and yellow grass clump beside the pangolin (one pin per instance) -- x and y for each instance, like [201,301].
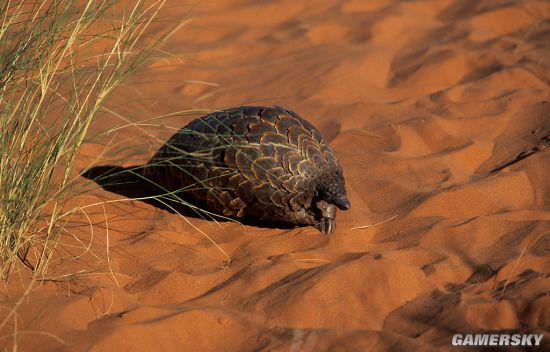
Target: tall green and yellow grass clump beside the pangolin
[59,61]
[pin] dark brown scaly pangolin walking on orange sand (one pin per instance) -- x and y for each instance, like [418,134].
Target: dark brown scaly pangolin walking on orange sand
[265,163]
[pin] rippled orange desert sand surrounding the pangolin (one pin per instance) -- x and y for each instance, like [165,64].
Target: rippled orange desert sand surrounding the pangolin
[440,114]
